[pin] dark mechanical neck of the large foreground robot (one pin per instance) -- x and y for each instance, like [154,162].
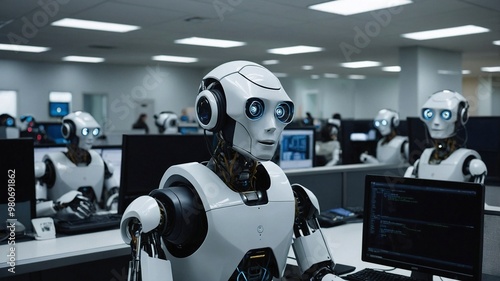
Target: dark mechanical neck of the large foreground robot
[236,170]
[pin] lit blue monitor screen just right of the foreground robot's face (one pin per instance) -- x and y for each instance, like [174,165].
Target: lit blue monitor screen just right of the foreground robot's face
[296,148]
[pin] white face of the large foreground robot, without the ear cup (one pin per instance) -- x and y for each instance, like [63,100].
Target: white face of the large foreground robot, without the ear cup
[260,107]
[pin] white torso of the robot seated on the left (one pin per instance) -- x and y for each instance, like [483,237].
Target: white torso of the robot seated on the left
[73,177]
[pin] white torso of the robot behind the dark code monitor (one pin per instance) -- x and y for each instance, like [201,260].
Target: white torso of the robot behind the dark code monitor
[449,169]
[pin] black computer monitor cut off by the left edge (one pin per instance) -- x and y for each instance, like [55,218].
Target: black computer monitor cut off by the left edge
[17,195]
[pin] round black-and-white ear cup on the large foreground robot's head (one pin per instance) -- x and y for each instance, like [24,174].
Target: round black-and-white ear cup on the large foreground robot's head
[210,109]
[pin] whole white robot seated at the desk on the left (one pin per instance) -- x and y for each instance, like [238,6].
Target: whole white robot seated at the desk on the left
[75,183]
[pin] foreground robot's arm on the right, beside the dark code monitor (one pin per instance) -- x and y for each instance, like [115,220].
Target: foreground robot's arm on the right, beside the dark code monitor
[310,247]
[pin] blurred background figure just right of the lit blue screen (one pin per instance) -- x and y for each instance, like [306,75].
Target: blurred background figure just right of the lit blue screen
[328,147]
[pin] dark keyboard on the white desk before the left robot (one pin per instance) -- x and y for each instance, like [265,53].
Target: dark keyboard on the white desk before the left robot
[96,222]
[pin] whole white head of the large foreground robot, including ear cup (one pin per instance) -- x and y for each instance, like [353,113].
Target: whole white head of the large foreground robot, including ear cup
[247,104]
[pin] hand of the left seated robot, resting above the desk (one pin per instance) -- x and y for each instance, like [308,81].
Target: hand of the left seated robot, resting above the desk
[74,202]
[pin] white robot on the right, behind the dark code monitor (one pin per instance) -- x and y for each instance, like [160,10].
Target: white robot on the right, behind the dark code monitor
[444,114]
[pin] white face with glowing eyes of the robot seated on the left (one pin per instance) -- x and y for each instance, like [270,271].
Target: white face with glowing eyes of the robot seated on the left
[86,128]
